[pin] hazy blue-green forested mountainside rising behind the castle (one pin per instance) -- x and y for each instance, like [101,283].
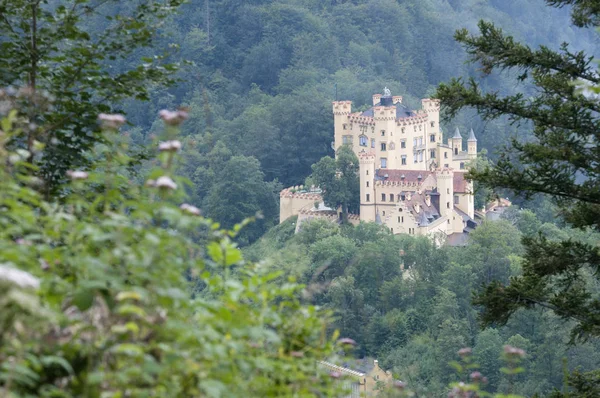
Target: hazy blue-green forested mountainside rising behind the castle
[263,75]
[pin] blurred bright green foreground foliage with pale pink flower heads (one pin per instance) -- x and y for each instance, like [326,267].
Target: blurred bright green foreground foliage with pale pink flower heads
[116,292]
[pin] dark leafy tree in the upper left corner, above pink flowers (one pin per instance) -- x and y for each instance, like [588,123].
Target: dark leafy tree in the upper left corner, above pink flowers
[89,55]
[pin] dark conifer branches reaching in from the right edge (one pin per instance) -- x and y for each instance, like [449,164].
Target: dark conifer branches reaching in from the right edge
[561,160]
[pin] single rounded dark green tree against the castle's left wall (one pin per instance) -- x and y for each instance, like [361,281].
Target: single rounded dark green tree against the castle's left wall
[338,178]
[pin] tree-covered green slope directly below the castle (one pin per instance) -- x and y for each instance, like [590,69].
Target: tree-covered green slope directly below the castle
[415,321]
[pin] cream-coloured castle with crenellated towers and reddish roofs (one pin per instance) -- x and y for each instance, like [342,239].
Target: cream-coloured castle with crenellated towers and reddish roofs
[410,180]
